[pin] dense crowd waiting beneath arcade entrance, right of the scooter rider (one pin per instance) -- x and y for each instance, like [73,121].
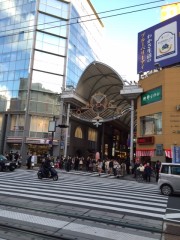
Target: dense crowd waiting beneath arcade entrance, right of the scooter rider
[116,167]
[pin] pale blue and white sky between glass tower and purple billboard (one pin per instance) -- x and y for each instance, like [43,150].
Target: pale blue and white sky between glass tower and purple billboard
[121,32]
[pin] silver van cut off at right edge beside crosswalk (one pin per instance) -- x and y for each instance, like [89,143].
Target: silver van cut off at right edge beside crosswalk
[169,178]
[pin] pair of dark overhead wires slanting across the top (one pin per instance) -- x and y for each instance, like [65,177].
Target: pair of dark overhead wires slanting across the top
[82,21]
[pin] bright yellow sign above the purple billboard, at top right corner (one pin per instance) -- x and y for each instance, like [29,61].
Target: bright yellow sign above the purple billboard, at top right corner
[169,11]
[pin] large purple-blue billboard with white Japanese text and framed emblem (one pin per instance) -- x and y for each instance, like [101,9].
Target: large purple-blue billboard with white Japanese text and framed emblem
[159,45]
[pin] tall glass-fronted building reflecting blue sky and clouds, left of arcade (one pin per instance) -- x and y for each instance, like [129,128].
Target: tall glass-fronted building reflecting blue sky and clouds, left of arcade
[45,45]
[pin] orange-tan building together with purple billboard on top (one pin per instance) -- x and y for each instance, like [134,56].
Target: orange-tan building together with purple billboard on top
[158,111]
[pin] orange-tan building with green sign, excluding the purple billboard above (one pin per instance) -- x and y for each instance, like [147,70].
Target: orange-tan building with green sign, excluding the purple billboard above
[158,115]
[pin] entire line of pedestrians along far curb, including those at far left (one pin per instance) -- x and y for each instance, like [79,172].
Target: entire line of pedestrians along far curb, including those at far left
[116,167]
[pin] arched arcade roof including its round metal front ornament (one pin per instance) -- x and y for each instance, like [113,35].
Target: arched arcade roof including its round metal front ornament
[99,90]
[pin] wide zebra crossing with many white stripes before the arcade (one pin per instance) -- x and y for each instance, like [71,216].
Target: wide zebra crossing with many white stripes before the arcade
[124,196]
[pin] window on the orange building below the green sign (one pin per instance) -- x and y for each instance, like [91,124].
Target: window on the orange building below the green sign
[151,124]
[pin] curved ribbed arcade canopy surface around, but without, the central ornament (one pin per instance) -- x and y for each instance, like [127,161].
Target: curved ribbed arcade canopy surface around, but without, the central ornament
[101,78]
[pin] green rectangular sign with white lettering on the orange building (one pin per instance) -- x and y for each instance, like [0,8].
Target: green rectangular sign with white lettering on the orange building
[151,96]
